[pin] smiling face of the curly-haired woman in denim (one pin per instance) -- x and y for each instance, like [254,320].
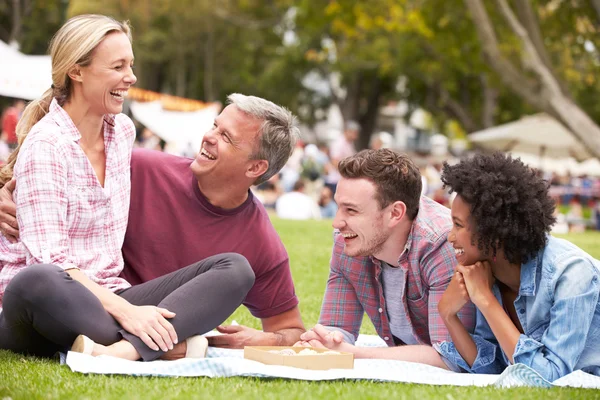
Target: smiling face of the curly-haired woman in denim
[462,236]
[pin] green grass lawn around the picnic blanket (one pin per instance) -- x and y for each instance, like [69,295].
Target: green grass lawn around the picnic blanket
[309,246]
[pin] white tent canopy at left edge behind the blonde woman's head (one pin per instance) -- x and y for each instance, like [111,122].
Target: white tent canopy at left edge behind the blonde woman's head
[22,76]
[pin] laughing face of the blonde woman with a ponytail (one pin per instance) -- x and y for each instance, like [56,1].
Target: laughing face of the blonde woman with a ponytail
[106,80]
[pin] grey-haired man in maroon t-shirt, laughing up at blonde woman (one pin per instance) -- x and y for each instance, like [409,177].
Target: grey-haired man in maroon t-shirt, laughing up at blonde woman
[185,210]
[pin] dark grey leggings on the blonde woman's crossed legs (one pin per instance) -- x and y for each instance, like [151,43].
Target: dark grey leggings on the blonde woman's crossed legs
[44,309]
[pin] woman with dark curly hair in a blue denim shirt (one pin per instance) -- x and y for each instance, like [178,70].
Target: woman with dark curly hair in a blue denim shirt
[536,295]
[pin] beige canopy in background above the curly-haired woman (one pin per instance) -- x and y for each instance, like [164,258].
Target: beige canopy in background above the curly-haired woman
[537,134]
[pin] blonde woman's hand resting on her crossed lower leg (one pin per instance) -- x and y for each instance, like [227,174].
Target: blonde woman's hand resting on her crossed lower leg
[149,324]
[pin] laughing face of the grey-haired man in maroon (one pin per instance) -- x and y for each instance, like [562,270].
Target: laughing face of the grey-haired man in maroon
[227,147]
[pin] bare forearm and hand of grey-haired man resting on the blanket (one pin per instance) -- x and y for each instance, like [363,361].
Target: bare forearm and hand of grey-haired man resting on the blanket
[279,330]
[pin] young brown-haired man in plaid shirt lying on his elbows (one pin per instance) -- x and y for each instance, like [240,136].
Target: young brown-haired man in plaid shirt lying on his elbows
[391,259]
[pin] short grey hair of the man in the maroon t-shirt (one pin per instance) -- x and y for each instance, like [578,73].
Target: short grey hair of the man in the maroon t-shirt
[278,132]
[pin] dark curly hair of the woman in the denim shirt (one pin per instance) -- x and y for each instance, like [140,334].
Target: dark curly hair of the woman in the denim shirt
[510,205]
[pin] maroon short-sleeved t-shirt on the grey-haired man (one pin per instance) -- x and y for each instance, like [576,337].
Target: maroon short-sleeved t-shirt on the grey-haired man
[172,225]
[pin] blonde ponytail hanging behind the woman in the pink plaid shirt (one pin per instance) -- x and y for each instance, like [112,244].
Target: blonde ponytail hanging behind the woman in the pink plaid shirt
[31,115]
